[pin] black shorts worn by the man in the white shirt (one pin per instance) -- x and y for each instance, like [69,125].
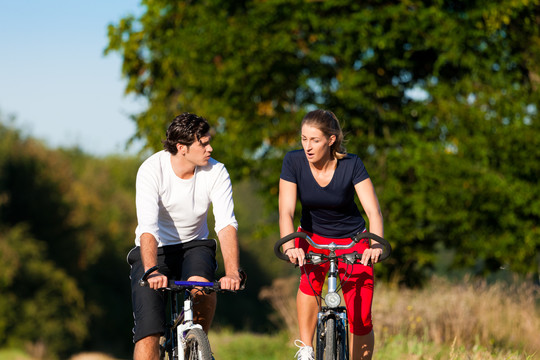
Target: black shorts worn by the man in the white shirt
[177,262]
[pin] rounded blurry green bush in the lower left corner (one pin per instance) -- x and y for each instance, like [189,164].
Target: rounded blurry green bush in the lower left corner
[40,302]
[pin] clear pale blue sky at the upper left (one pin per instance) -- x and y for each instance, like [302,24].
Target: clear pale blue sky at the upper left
[55,79]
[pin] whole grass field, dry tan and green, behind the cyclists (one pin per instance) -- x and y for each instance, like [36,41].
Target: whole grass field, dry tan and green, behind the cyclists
[470,320]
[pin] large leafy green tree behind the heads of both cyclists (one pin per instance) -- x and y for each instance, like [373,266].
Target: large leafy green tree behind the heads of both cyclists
[438,97]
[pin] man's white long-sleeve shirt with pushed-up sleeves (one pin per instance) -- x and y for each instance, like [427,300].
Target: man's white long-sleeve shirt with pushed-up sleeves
[175,210]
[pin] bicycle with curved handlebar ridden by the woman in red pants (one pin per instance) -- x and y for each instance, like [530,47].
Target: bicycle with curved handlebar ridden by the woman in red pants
[332,341]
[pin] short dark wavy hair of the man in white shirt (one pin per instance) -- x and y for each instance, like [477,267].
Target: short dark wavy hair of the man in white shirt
[185,129]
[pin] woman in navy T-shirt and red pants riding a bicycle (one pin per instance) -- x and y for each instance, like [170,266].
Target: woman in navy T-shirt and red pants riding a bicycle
[324,178]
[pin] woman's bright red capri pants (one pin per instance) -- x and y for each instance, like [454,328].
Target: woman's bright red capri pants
[356,281]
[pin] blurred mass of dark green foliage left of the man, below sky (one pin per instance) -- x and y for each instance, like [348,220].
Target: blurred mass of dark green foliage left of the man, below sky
[68,221]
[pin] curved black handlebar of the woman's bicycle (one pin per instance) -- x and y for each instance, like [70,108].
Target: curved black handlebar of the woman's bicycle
[387,248]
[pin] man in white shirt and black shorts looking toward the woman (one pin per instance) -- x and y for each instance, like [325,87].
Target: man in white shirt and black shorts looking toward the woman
[174,190]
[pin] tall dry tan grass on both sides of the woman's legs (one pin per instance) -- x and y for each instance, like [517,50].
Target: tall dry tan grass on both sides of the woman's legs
[461,316]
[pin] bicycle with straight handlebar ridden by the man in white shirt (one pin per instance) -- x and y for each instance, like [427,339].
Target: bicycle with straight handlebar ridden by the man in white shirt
[183,338]
